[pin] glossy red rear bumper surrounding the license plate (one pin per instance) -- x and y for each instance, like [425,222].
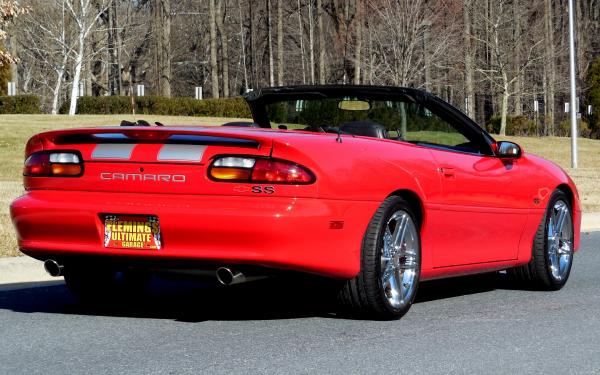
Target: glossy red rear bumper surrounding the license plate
[274,232]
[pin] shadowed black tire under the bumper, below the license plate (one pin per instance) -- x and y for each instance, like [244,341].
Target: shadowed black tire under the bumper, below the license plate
[93,285]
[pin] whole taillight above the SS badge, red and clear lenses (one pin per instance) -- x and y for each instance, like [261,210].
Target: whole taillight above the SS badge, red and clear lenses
[248,169]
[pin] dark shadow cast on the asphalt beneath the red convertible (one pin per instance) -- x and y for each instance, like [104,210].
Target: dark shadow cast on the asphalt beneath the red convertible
[201,301]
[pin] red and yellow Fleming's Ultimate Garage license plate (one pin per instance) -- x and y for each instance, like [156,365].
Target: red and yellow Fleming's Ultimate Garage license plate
[135,232]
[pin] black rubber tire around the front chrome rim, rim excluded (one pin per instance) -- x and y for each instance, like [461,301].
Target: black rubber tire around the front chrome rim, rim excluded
[537,274]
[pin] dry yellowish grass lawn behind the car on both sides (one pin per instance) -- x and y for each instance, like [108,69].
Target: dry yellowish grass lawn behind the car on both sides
[16,129]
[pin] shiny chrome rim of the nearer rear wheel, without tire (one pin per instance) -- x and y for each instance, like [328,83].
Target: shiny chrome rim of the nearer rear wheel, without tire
[400,259]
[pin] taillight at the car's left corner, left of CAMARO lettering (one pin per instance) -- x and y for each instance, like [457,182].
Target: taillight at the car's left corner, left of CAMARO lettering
[53,164]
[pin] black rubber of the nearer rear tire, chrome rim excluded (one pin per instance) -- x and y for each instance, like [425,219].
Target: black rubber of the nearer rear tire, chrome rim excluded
[364,296]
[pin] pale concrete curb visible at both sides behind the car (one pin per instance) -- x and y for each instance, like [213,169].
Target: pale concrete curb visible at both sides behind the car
[24,269]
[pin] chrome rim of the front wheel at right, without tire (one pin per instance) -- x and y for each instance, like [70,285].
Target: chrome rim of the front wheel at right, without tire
[560,240]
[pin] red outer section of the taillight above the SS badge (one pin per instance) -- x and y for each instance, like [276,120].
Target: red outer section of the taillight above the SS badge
[274,171]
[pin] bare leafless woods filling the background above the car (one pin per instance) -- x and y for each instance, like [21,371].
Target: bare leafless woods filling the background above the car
[487,57]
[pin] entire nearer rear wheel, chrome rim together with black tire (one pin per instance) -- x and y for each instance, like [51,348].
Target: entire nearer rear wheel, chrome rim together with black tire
[387,283]
